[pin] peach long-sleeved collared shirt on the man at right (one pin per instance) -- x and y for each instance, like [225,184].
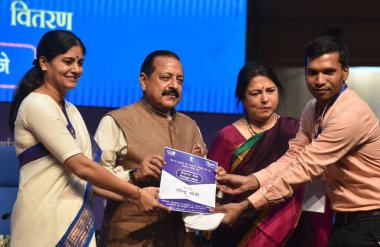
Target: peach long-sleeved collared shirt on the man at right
[347,152]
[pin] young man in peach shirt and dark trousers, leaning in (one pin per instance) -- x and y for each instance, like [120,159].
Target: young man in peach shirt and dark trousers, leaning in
[338,139]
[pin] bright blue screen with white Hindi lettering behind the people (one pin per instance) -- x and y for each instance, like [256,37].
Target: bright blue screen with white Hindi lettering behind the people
[208,35]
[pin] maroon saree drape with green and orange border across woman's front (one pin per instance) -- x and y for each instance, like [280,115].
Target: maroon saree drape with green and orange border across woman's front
[270,227]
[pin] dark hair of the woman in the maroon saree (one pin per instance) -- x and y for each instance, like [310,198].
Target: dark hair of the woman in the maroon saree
[250,70]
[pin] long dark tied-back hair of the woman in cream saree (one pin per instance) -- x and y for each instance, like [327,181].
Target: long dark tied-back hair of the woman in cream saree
[52,44]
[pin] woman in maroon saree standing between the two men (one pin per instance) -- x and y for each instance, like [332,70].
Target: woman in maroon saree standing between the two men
[256,140]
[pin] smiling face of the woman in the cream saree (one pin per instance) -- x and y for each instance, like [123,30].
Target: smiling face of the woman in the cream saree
[63,72]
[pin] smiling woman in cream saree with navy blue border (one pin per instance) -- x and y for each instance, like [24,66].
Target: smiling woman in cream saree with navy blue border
[57,169]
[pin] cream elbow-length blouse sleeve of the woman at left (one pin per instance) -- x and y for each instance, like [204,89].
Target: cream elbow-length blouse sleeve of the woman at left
[44,119]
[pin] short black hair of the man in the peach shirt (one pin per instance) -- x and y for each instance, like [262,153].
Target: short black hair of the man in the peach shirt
[326,44]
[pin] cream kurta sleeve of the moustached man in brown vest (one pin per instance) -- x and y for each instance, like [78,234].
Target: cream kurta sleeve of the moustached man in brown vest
[111,140]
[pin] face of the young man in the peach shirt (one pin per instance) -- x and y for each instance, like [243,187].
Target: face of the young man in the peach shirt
[325,76]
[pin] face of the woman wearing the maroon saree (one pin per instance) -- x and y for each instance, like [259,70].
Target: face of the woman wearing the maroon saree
[261,99]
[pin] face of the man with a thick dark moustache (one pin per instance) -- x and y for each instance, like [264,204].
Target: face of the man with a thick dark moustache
[163,88]
